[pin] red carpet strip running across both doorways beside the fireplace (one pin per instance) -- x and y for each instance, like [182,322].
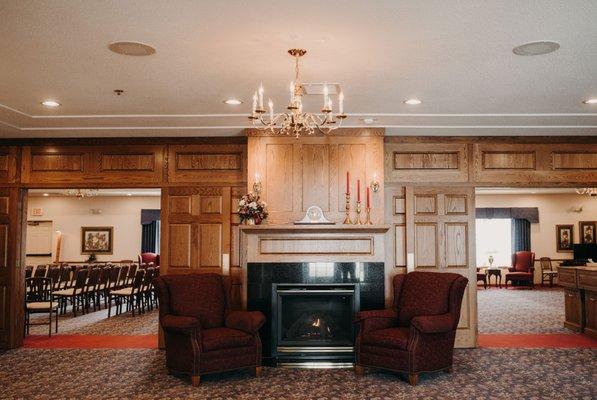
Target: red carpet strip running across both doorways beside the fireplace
[508,341]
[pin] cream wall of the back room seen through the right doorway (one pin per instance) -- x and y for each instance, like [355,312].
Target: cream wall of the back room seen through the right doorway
[554,209]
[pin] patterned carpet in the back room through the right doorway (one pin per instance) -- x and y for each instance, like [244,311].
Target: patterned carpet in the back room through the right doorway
[540,310]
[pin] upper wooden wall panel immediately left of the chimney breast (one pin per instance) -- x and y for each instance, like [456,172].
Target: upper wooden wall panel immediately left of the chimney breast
[215,164]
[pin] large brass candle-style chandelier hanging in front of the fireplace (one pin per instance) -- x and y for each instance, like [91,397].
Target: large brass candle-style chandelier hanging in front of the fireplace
[295,121]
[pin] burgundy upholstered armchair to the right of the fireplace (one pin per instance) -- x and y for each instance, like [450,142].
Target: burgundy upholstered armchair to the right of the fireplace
[417,334]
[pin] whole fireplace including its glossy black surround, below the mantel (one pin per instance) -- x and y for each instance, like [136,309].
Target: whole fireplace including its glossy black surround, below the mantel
[332,291]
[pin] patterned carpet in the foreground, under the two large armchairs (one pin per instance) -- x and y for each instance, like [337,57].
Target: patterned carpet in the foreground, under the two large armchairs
[140,374]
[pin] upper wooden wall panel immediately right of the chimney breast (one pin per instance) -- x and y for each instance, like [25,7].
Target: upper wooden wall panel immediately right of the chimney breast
[426,162]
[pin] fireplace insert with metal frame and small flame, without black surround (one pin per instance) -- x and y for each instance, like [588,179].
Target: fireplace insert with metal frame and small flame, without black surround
[311,320]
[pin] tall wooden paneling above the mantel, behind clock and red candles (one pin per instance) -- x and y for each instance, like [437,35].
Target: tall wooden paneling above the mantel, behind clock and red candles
[311,182]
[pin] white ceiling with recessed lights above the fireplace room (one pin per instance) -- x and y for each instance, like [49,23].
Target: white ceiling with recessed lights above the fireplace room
[454,55]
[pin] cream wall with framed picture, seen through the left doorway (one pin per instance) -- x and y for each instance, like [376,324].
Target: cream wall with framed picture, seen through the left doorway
[70,214]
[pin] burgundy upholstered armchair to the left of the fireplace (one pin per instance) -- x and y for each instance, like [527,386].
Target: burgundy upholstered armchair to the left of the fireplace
[202,334]
